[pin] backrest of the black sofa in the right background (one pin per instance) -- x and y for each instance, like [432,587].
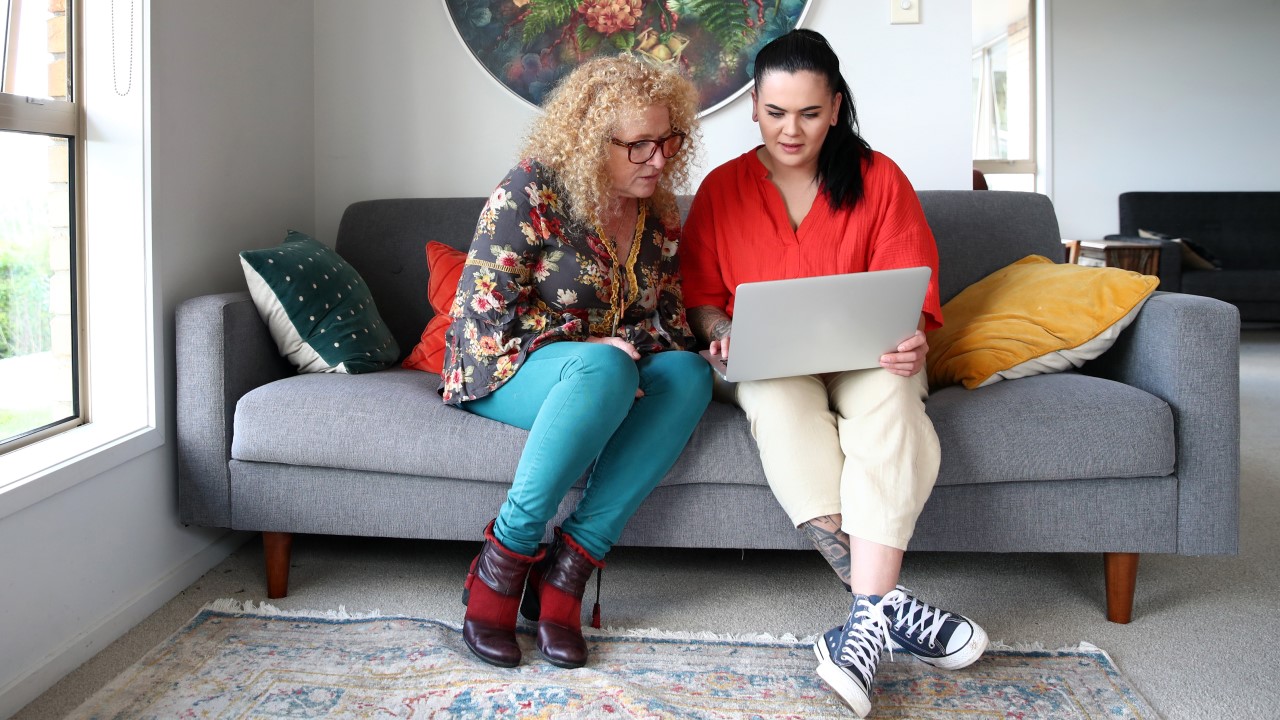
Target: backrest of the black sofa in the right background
[1242,230]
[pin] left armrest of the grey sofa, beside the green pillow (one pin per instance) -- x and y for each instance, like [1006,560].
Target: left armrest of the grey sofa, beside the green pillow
[223,352]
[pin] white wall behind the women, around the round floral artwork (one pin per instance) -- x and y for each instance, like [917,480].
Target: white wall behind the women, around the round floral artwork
[403,110]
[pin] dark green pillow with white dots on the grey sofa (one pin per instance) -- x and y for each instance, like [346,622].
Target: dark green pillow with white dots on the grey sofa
[318,308]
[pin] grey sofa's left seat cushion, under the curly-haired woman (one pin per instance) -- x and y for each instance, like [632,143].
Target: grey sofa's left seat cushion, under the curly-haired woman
[394,422]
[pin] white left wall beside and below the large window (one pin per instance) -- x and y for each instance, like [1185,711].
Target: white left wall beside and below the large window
[232,168]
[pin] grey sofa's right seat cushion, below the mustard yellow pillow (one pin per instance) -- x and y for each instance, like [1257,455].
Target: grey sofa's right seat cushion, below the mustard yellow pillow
[1052,429]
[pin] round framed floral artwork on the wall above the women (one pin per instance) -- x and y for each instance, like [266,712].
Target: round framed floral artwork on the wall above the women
[528,45]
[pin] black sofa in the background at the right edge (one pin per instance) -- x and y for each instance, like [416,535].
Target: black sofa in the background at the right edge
[1241,230]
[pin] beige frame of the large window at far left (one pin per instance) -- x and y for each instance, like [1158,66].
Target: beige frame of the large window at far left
[57,119]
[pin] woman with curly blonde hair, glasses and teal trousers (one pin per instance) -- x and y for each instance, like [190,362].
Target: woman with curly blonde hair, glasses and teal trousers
[569,322]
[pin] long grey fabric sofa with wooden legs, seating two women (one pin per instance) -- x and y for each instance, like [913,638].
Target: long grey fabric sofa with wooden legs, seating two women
[1139,453]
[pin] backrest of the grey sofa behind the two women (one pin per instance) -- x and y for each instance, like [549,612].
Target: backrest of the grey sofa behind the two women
[386,241]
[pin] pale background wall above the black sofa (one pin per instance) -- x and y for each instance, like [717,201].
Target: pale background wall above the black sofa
[1160,95]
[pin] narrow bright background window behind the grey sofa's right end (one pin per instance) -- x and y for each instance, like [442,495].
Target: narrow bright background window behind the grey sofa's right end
[1004,93]
